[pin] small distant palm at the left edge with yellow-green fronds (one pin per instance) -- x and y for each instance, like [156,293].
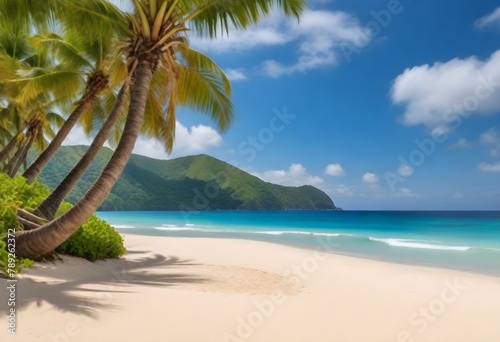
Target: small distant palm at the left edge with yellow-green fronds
[29,120]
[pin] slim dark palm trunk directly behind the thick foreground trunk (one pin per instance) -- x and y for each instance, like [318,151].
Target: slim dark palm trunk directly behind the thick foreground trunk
[49,206]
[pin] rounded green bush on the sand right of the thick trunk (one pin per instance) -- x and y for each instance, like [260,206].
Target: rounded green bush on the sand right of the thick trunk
[95,240]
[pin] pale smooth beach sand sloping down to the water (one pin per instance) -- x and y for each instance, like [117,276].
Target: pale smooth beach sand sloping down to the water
[188,289]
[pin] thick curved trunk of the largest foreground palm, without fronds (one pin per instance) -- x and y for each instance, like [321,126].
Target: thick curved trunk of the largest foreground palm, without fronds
[37,242]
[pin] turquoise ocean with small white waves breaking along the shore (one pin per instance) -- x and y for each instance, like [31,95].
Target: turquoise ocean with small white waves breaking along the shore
[456,239]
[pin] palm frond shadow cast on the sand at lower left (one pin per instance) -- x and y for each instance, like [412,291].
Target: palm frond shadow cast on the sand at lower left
[80,291]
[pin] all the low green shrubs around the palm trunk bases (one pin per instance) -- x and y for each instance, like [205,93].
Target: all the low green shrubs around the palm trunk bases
[94,240]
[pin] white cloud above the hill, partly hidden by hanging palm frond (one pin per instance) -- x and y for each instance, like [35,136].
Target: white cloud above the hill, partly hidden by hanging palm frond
[197,139]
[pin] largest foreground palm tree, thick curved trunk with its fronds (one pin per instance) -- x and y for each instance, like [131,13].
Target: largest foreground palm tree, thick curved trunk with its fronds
[157,36]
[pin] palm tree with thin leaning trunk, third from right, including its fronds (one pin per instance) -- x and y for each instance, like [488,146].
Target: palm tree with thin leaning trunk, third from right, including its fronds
[90,26]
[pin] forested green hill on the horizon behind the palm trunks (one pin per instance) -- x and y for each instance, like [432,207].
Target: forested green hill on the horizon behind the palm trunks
[190,183]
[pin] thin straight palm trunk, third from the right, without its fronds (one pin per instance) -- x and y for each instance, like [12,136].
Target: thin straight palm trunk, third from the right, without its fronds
[88,101]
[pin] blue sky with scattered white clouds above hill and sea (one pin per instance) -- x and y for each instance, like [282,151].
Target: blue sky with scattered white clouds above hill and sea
[381,104]
